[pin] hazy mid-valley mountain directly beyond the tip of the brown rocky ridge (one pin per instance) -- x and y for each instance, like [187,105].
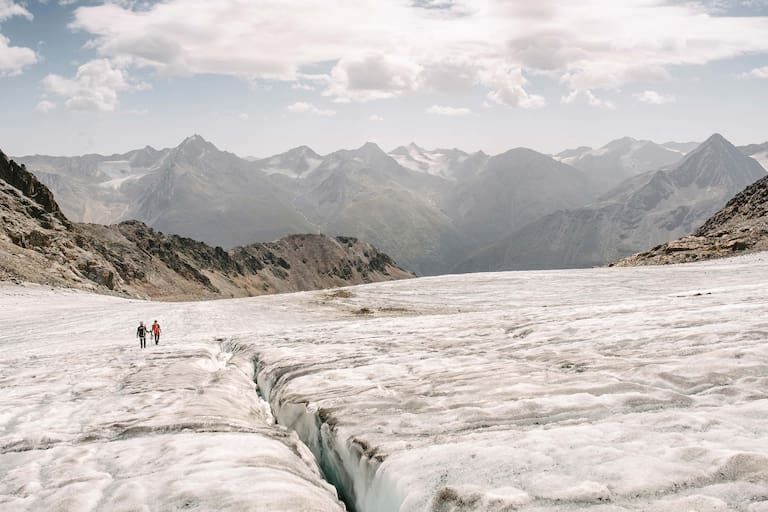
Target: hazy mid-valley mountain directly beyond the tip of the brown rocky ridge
[365,192]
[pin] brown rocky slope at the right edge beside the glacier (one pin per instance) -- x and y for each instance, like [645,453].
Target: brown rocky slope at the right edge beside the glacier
[741,226]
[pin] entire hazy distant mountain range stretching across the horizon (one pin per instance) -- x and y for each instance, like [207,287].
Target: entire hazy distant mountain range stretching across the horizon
[435,211]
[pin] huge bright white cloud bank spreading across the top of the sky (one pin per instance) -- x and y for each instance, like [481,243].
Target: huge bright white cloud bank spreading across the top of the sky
[390,49]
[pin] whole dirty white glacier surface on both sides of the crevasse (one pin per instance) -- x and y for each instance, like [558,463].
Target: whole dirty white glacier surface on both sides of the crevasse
[639,389]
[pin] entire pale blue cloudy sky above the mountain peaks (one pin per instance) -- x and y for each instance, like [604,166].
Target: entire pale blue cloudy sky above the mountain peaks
[258,77]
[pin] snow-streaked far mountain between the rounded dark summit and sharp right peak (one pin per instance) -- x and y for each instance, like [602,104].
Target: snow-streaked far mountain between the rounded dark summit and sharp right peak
[620,159]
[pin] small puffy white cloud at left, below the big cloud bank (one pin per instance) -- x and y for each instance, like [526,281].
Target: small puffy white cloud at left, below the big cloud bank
[95,86]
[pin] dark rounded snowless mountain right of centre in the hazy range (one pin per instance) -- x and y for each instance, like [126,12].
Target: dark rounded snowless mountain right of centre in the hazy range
[513,189]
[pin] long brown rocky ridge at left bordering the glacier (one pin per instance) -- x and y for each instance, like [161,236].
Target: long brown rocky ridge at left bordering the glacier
[38,244]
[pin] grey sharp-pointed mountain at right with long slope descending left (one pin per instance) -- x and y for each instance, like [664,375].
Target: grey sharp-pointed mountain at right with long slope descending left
[640,213]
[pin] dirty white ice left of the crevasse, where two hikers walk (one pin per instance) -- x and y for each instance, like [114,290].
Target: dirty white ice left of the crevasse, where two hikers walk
[89,422]
